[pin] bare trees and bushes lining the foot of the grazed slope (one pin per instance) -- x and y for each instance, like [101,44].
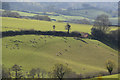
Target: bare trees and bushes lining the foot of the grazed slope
[58,71]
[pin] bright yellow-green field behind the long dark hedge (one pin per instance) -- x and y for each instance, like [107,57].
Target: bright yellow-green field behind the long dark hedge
[25,24]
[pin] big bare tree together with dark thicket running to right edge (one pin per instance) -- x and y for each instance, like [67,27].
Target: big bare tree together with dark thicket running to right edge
[102,31]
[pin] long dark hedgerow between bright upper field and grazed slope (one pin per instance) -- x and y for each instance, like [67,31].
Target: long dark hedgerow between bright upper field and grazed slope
[53,33]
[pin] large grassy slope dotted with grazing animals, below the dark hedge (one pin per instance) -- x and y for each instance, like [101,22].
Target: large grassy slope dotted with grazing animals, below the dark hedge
[32,51]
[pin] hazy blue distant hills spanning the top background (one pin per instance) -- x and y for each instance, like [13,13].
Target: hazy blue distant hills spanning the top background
[83,9]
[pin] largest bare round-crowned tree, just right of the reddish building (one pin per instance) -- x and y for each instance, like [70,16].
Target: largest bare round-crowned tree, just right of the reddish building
[101,26]
